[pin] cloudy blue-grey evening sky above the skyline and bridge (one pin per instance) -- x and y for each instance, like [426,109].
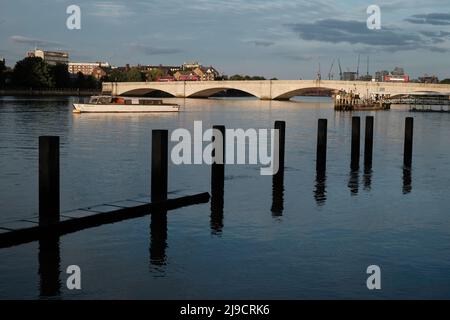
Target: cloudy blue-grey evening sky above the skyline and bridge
[287,39]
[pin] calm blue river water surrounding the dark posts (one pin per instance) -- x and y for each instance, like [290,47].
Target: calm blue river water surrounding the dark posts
[314,240]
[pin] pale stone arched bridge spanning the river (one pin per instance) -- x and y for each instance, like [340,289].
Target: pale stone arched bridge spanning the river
[269,89]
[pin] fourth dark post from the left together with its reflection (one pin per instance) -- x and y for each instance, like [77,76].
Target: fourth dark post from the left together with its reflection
[278,178]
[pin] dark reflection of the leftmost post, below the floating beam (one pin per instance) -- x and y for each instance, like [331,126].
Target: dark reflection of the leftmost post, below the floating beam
[49,266]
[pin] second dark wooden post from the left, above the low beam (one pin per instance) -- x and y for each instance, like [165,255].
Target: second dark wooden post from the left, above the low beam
[159,165]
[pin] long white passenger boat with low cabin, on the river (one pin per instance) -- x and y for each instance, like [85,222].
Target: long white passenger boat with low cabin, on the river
[113,104]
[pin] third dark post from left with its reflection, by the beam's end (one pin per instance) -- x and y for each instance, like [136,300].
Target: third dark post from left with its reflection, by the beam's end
[217,180]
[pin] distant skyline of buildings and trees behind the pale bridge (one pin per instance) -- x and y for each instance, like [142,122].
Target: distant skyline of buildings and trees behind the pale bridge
[41,68]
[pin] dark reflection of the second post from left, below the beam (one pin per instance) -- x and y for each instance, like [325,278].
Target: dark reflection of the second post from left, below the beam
[158,238]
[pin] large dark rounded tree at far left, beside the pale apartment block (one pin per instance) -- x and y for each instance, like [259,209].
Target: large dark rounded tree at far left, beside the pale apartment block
[32,72]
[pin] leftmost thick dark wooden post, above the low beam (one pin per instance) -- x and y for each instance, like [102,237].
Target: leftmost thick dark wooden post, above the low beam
[49,201]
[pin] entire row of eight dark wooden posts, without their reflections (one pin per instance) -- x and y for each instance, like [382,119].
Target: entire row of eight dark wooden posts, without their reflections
[49,184]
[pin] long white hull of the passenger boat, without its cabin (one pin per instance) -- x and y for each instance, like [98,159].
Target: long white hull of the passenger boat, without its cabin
[115,108]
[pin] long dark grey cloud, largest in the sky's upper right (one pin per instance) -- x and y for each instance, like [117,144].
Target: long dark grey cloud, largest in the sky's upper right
[356,32]
